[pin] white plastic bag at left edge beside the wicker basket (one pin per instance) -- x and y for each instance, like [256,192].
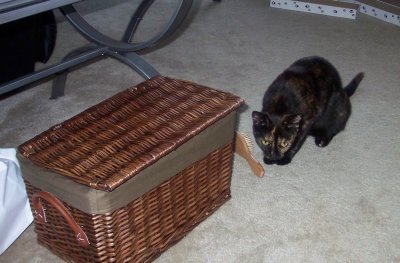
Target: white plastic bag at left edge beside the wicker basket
[15,212]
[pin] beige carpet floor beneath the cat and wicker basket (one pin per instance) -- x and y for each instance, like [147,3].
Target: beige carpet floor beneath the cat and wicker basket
[336,204]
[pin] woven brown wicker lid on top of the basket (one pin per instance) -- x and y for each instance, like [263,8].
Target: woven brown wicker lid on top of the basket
[111,142]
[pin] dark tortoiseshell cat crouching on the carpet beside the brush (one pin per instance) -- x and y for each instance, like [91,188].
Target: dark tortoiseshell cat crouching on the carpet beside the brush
[306,99]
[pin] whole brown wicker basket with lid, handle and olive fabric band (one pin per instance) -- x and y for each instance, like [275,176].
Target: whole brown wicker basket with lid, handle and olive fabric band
[128,178]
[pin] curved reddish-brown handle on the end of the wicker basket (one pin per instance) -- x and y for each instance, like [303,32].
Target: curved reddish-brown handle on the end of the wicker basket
[52,200]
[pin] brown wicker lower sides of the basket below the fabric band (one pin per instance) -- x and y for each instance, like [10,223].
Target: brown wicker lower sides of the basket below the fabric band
[149,225]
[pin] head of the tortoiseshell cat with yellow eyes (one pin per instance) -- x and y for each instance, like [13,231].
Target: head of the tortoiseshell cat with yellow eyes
[275,134]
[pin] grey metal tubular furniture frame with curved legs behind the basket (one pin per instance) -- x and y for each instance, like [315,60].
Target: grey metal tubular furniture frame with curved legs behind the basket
[102,46]
